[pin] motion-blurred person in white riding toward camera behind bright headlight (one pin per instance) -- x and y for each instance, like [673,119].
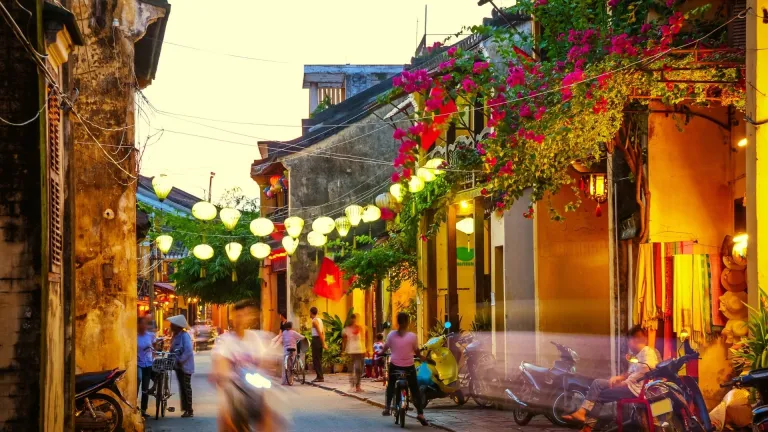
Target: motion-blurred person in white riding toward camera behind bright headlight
[237,358]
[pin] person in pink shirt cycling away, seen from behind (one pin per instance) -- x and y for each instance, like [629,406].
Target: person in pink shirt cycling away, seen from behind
[403,346]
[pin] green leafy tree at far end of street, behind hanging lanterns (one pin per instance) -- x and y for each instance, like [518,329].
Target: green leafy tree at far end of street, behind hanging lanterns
[217,285]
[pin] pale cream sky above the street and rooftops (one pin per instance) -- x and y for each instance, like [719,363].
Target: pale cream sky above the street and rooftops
[201,82]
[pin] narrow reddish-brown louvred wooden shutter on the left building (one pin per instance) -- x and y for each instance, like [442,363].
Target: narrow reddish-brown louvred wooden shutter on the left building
[55,198]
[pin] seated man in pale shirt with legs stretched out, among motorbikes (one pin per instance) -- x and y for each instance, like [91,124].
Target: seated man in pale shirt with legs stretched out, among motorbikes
[624,386]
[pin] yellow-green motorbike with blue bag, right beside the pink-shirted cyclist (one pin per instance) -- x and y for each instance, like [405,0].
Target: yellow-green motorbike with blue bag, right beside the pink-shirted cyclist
[438,376]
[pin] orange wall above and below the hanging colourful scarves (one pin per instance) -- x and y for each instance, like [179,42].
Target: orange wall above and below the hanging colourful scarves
[690,174]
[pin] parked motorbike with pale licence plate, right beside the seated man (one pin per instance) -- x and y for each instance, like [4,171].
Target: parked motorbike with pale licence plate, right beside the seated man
[667,402]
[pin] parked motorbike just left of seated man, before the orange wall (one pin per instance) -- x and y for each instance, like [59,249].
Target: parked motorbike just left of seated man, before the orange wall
[550,392]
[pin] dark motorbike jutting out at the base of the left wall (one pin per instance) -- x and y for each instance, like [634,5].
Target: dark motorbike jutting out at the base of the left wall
[94,409]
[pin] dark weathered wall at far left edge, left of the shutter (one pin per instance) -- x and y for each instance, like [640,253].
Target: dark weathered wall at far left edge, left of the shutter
[21,226]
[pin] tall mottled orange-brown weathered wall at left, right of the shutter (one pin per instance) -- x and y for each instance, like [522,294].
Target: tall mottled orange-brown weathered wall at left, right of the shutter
[105,244]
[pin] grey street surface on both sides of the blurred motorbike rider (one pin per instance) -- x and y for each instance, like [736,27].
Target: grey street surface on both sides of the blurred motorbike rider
[313,409]
